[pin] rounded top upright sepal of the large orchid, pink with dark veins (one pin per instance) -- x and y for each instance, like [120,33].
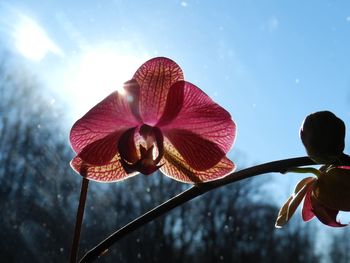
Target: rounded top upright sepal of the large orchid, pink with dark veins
[155,78]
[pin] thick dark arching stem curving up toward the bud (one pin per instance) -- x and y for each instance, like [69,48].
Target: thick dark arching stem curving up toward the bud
[280,166]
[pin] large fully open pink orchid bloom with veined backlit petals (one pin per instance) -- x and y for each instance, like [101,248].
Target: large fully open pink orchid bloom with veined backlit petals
[159,122]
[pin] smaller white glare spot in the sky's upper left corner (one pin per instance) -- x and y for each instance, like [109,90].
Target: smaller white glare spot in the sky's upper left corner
[32,41]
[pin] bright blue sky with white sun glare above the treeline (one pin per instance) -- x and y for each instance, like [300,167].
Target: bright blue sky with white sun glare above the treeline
[269,63]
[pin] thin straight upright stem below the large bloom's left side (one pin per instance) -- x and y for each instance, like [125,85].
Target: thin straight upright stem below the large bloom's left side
[79,220]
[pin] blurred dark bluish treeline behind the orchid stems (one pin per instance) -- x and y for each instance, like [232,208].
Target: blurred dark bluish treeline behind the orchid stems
[39,195]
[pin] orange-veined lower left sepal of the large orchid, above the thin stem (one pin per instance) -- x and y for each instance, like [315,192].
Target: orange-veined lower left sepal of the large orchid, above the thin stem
[111,172]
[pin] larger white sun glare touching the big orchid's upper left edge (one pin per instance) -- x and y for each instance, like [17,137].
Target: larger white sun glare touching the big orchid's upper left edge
[99,72]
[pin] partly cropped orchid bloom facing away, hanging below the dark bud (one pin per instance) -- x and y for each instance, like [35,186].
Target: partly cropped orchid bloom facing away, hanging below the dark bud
[324,196]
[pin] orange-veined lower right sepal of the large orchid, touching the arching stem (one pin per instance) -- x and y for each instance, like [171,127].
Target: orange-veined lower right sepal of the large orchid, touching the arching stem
[177,168]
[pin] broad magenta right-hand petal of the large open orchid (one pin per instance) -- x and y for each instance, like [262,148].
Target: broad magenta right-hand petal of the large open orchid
[201,130]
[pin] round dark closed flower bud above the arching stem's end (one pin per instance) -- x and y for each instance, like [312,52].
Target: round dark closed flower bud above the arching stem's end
[322,134]
